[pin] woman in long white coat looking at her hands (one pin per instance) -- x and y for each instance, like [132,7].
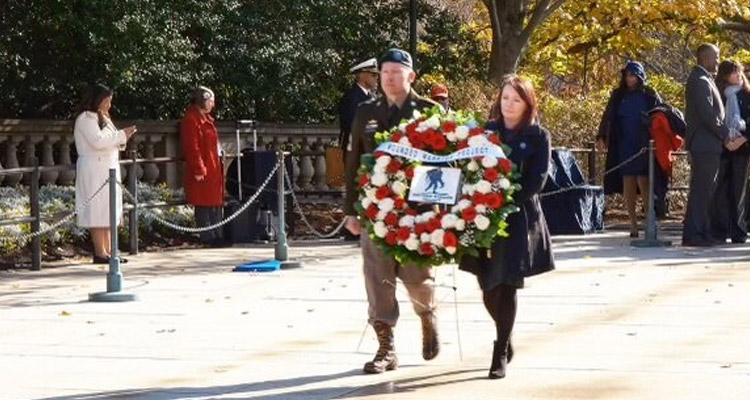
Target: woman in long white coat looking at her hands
[98,144]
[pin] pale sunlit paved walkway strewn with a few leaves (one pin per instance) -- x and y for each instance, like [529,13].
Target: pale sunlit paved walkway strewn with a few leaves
[613,322]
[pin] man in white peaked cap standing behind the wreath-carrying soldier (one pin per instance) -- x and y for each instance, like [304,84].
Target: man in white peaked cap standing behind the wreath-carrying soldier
[364,88]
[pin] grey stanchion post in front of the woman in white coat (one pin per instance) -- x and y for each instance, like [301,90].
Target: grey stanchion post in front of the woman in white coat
[114,277]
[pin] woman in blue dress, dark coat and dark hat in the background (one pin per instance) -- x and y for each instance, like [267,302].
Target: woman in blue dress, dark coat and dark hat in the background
[623,132]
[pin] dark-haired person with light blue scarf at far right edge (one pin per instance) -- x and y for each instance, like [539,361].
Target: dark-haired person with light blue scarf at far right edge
[728,210]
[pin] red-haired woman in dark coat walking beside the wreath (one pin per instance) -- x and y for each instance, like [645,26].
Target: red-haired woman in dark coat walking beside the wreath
[528,250]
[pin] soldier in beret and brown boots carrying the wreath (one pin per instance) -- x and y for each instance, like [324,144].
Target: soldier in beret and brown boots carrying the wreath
[380,271]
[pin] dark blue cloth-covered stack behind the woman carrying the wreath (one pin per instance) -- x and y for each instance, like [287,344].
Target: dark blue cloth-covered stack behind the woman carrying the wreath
[576,211]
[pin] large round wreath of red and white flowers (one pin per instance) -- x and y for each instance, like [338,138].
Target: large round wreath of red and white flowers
[426,234]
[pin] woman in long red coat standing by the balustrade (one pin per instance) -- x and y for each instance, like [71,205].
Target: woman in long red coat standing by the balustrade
[204,174]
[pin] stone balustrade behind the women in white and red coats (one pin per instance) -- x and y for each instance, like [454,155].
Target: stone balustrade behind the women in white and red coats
[22,142]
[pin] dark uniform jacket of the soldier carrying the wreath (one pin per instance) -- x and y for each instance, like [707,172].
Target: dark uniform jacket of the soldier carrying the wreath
[371,117]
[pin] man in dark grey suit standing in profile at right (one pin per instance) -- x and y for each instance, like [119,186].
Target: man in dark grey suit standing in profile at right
[705,137]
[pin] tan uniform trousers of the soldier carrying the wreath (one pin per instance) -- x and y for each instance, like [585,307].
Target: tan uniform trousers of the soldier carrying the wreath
[380,273]
